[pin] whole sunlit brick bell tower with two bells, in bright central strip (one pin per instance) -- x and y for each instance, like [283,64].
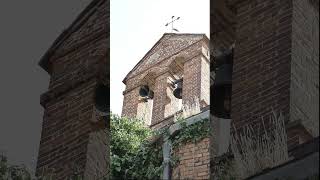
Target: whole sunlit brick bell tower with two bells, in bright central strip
[175,57]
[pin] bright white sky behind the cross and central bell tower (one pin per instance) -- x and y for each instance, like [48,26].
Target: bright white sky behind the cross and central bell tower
[136,25]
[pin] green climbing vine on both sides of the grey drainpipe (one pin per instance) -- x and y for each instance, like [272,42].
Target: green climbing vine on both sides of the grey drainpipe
[136,151]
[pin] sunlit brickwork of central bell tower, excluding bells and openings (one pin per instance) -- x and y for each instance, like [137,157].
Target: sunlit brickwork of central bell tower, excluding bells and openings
[173,55]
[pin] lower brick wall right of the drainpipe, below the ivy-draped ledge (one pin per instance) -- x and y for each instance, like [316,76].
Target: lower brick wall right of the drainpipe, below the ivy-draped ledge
[193,161]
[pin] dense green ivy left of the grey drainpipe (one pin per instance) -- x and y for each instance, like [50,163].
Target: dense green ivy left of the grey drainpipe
[132,155]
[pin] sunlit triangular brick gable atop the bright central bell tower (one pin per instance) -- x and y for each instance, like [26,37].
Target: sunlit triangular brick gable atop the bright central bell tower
[166,46]
